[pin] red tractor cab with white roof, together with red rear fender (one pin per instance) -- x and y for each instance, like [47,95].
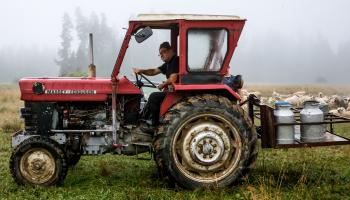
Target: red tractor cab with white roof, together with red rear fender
[204,44]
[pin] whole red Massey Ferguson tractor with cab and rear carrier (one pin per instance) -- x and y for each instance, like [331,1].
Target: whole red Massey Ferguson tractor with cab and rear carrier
[205,138]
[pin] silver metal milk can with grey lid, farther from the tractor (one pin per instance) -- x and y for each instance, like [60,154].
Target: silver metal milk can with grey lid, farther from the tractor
[311,113]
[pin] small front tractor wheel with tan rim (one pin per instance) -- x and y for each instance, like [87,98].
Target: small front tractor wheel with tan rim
[38,161]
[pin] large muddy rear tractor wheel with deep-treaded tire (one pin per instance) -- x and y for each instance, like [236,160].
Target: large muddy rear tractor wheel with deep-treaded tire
[205,141]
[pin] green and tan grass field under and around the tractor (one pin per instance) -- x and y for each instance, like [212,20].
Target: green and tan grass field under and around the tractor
[310,173]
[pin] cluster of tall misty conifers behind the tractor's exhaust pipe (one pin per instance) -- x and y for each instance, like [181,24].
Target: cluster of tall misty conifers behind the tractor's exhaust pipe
[73,60]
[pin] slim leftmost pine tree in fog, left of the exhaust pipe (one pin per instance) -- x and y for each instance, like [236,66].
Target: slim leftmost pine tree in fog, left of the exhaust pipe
[65,61]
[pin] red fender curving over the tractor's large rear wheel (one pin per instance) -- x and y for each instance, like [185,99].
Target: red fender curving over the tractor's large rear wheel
[182,91]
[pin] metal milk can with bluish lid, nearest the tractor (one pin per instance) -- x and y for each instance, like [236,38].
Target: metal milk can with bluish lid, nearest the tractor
[284,114]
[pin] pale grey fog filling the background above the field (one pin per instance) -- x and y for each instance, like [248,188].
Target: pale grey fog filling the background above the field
[283,41]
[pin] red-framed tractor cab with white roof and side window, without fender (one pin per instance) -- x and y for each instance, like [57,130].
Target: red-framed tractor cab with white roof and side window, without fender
[204,43]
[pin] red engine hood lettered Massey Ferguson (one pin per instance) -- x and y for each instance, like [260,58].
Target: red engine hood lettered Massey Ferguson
[73,89]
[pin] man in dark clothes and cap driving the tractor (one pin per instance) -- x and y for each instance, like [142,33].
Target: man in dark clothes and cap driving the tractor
[170,69]
